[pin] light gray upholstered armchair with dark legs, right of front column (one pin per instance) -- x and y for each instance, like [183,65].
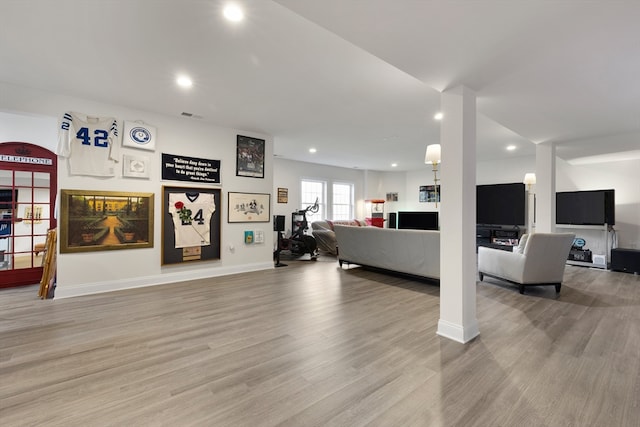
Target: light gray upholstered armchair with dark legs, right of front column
[540,259]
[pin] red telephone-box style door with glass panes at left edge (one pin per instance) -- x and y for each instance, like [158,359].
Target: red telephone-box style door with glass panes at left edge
[28,188]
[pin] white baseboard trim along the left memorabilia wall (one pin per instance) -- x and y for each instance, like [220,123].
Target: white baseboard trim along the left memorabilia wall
[70,291]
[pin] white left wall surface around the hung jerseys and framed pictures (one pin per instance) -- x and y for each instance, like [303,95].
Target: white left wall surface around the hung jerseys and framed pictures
[102,271]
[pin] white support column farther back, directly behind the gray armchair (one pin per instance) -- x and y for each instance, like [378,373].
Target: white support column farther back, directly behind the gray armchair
[546,188]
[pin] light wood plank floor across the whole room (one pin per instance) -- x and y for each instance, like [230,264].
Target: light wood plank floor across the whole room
[313,345]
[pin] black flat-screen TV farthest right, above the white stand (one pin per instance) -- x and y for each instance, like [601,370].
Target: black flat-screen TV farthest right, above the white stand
[596,207]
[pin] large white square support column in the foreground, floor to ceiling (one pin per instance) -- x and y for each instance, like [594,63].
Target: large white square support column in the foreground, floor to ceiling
[458,269]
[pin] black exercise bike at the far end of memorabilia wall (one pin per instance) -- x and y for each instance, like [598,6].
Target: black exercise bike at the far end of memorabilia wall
[298,243]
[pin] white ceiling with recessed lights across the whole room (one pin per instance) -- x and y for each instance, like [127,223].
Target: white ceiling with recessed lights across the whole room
[358,80]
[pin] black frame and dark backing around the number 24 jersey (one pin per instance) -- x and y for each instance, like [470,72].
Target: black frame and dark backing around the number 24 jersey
[173,255]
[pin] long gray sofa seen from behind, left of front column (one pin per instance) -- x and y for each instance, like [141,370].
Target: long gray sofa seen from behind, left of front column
[414,252]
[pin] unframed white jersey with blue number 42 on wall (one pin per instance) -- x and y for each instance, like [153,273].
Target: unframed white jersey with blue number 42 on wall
[90,143]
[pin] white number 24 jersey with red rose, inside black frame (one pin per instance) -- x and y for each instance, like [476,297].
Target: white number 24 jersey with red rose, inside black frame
[191,213]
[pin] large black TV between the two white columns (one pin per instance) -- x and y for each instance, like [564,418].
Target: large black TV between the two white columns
[501,204]
